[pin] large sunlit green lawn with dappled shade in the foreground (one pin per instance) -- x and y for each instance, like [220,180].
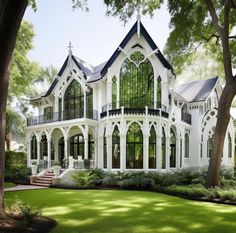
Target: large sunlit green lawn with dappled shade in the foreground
[87,211]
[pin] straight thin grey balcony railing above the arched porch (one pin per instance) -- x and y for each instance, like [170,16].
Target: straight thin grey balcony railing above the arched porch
[62,116]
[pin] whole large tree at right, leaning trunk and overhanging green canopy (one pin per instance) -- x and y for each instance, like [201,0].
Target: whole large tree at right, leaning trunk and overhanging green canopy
[195,23]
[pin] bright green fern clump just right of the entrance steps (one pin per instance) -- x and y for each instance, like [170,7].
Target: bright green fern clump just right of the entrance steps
[84,178]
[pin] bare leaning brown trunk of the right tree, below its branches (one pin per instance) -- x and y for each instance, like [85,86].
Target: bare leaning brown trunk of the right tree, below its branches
[213,175]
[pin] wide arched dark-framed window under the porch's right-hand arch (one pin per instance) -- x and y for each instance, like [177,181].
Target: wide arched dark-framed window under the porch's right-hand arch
[77,146]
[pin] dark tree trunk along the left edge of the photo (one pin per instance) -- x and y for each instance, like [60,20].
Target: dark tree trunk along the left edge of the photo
[11,14]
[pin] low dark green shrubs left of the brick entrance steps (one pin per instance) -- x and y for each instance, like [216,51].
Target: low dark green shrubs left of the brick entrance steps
[18,174]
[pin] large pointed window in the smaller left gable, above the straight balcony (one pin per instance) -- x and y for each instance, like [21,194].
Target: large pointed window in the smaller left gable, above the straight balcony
[73,101]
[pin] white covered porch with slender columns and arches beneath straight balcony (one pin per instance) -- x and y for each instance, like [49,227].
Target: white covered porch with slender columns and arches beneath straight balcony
[69,147]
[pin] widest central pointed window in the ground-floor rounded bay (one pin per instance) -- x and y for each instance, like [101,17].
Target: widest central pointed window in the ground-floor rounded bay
[134,147]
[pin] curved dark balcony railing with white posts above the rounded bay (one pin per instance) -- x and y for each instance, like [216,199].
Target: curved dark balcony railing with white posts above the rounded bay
[107,110]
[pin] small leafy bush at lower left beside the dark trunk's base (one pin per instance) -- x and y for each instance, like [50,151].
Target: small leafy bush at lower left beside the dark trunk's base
[23,209]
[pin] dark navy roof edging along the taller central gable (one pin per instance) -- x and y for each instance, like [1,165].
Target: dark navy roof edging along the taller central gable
[148,38]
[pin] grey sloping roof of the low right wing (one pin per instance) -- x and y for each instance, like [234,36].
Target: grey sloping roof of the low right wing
[196,91]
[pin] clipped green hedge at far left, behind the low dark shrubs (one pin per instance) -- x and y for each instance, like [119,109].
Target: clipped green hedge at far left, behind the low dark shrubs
[13,157]
